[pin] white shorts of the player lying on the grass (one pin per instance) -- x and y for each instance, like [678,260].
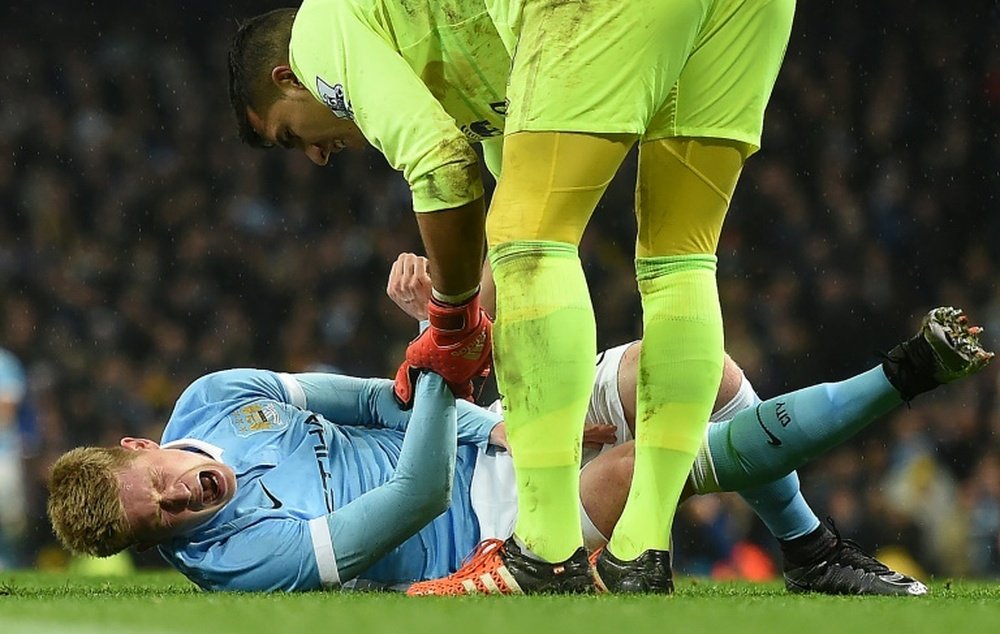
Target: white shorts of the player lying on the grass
[494,489]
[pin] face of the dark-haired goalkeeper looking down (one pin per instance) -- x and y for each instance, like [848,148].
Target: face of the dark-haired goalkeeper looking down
[297,121]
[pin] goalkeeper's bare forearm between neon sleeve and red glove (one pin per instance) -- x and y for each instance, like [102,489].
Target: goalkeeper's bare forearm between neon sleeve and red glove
[455,242]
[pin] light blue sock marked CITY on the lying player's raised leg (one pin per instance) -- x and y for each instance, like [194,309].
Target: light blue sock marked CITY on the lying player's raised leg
[767,442]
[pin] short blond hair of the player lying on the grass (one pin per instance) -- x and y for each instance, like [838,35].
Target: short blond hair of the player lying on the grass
[85,504]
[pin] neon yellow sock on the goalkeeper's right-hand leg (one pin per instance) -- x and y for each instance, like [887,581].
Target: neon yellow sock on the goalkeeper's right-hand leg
[680,367]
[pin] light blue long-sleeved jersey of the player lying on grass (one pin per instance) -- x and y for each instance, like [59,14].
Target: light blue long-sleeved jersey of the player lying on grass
[304,447]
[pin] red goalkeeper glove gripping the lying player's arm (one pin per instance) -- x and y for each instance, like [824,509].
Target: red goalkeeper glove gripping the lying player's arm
[458,346]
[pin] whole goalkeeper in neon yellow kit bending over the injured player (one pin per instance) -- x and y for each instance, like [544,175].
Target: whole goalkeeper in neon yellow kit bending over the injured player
[688,80]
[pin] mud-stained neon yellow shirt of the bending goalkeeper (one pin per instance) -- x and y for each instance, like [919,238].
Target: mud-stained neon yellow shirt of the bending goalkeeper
[422,79]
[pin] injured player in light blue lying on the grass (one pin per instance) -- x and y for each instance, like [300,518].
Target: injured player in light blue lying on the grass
[273,481]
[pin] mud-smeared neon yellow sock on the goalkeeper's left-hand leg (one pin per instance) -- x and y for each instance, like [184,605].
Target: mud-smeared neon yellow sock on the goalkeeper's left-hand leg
[544,344]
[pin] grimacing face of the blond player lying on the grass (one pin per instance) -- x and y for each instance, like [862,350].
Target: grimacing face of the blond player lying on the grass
[165,491]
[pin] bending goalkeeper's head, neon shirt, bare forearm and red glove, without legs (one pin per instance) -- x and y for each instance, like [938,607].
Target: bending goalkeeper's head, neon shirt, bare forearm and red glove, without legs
[420,81]
